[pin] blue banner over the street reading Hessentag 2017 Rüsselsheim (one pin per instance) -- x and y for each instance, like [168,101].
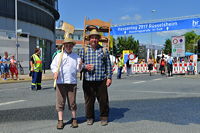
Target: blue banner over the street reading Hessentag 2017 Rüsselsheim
[156,27]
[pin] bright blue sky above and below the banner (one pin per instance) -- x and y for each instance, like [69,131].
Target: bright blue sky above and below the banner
[127,11]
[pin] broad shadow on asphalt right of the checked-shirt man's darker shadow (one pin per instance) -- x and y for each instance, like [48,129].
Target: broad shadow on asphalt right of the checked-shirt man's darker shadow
[181,111]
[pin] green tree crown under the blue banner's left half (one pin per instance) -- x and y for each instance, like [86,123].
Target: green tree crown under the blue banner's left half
[126,43]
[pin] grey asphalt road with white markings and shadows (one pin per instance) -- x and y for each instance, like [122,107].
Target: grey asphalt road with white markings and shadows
[138,104]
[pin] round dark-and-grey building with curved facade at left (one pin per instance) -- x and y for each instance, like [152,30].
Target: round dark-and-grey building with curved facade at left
[36,26]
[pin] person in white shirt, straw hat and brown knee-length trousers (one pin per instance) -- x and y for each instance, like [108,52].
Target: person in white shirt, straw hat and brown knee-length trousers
[66,76]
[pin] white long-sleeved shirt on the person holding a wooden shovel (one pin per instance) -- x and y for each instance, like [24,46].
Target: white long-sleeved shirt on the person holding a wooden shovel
[69,67]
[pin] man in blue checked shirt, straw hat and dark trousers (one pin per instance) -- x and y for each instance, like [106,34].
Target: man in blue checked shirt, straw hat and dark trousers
[96,78]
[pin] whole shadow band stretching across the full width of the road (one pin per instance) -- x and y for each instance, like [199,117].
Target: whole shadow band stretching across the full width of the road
[181,111]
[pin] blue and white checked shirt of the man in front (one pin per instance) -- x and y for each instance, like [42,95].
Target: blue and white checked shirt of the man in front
[101,61]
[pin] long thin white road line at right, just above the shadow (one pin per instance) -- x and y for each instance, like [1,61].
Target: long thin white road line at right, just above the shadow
[164,92]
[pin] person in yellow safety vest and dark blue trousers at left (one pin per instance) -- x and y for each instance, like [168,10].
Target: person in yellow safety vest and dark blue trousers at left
[36,70]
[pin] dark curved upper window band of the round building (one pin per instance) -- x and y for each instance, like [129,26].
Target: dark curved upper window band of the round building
[27,13]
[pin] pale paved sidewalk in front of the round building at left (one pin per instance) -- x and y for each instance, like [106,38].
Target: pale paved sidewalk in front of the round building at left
[25,78]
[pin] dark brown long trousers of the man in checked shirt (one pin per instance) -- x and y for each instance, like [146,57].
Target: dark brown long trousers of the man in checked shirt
[93,90]
